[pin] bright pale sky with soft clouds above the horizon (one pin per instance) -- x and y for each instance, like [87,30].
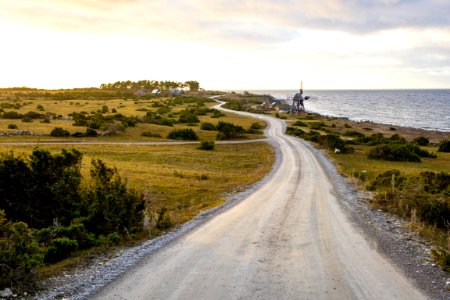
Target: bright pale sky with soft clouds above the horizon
[227,44]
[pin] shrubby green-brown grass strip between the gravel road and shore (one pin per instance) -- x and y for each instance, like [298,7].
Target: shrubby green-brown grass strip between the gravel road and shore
[407,175]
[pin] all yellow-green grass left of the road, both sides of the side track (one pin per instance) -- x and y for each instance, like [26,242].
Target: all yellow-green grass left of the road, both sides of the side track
[181,178]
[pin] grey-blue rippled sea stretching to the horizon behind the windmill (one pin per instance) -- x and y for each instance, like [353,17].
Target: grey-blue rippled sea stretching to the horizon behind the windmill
[425,109]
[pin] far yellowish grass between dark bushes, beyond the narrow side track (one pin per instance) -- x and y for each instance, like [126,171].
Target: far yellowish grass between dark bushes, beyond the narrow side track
[129,107]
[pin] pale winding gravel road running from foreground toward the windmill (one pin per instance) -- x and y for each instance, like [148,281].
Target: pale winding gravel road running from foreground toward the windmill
[288,240]
